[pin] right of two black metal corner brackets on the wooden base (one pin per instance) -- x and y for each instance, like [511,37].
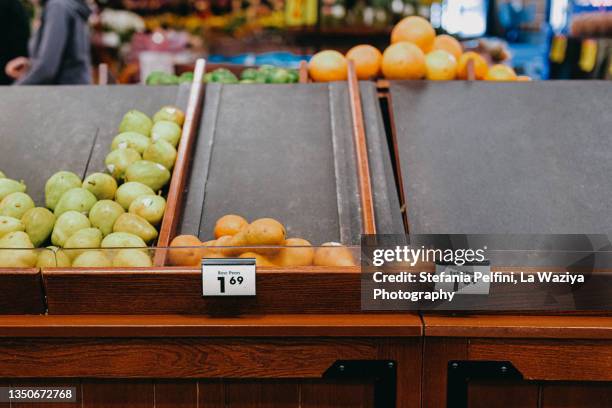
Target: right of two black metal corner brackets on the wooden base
[461,372]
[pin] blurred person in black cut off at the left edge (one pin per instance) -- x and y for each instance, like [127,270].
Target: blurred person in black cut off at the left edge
[14,34]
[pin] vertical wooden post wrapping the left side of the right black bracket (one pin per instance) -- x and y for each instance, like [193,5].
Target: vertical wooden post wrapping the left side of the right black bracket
[437,353]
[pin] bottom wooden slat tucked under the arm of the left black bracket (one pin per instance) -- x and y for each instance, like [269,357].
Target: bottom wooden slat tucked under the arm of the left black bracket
[335,395]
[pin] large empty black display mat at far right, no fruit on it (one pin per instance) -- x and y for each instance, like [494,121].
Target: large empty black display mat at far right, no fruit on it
[482,157]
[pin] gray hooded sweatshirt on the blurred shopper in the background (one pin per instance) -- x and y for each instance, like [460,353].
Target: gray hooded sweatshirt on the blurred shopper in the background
[60,51]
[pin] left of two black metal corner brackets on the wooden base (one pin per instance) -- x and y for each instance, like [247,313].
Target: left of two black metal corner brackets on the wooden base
[382,372]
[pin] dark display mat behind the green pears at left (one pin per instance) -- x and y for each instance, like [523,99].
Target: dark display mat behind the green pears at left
[45,129]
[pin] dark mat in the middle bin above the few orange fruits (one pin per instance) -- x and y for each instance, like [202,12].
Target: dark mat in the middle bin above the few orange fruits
[285,152]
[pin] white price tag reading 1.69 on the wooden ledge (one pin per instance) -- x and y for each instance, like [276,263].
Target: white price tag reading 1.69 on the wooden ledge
[228,277]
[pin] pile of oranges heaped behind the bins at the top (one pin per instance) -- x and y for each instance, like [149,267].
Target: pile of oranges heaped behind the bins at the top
[415,53]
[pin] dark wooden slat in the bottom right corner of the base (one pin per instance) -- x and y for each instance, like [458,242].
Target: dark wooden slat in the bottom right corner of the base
[593,395]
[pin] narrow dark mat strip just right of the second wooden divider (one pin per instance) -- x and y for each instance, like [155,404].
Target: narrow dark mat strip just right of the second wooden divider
[386,199]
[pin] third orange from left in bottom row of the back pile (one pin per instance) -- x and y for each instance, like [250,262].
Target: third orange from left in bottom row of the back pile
[403,60]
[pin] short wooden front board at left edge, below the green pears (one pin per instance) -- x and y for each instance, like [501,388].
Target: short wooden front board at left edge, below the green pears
[21,292]
